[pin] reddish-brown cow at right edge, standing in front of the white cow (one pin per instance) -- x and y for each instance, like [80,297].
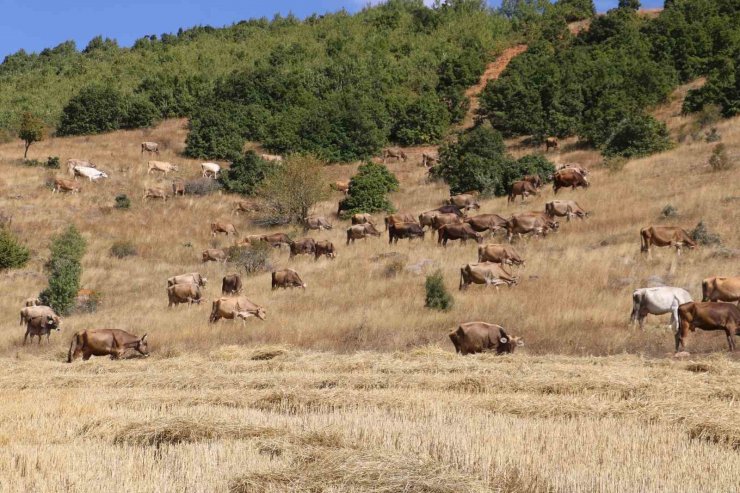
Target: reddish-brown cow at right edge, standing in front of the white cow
[708,316]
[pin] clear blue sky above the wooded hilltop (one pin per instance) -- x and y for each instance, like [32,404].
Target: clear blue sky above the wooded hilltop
[37,24]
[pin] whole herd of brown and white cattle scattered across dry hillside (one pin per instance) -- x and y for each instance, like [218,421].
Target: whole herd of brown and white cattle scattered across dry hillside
[449,222]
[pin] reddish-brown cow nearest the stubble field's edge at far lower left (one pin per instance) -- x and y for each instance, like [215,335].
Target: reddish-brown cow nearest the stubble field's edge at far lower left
[105,342]
